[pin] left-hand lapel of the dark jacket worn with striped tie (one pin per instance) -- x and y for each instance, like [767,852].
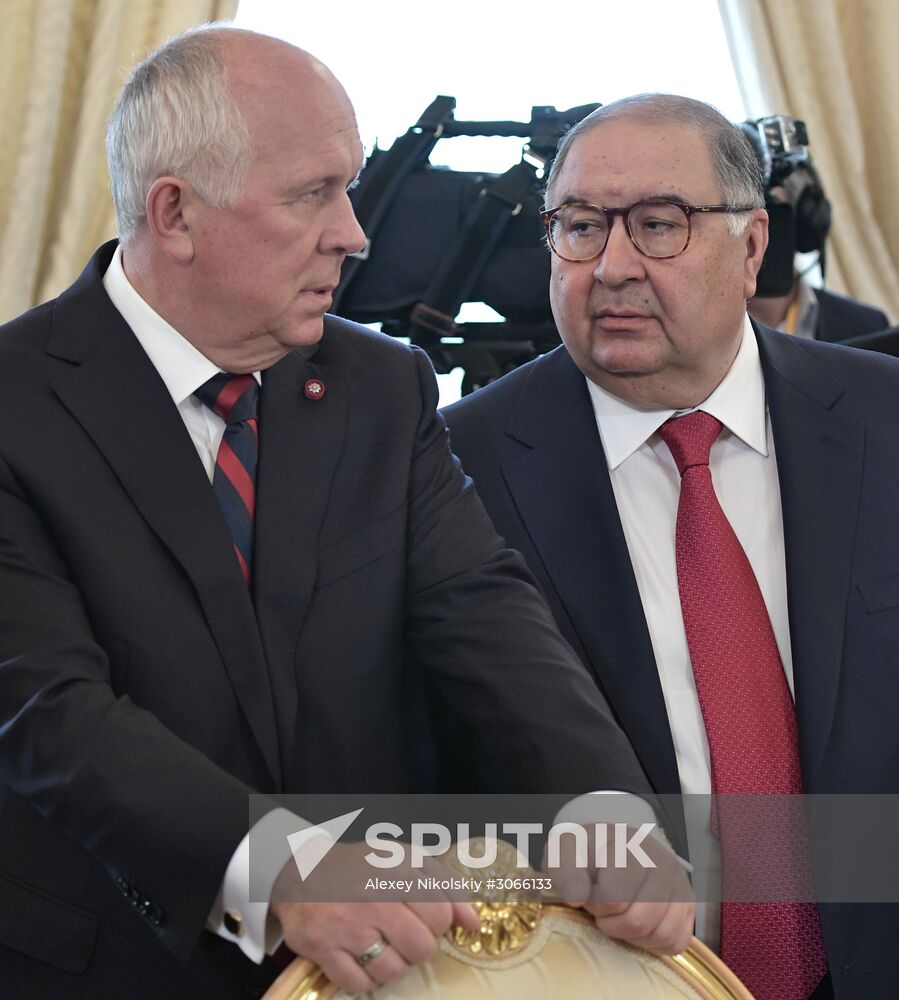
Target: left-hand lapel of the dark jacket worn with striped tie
[116,395]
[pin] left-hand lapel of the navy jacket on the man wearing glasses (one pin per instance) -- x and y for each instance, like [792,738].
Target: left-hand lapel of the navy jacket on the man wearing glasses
[562,489]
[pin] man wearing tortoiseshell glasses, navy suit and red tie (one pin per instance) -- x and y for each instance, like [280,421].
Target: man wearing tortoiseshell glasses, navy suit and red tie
[712,509]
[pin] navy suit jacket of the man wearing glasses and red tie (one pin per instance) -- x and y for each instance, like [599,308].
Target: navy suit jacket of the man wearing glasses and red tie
[531,444]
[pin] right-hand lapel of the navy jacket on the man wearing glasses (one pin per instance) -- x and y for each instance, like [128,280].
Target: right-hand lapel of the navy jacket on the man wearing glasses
[819,461]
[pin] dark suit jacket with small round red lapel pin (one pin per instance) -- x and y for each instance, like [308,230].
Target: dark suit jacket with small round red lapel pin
[143,696]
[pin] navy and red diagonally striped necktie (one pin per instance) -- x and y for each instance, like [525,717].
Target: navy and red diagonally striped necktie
[235,399]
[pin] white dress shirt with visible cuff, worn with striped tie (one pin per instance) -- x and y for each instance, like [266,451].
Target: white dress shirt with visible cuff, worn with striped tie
[184,369]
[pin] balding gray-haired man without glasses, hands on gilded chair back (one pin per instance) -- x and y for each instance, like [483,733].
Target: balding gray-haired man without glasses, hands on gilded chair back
[225,519]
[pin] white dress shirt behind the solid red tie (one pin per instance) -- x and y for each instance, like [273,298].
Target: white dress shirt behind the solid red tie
[646,485]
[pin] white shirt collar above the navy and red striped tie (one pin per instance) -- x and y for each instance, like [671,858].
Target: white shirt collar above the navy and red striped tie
[180,365]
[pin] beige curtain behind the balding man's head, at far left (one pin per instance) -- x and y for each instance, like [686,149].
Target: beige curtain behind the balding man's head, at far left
[62,62]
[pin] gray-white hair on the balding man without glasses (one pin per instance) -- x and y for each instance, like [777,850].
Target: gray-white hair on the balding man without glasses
[176,116]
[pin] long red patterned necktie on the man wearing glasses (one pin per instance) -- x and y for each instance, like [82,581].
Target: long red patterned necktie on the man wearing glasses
[774,947]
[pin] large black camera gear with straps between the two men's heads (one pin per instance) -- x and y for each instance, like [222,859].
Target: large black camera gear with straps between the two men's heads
[438,238]
